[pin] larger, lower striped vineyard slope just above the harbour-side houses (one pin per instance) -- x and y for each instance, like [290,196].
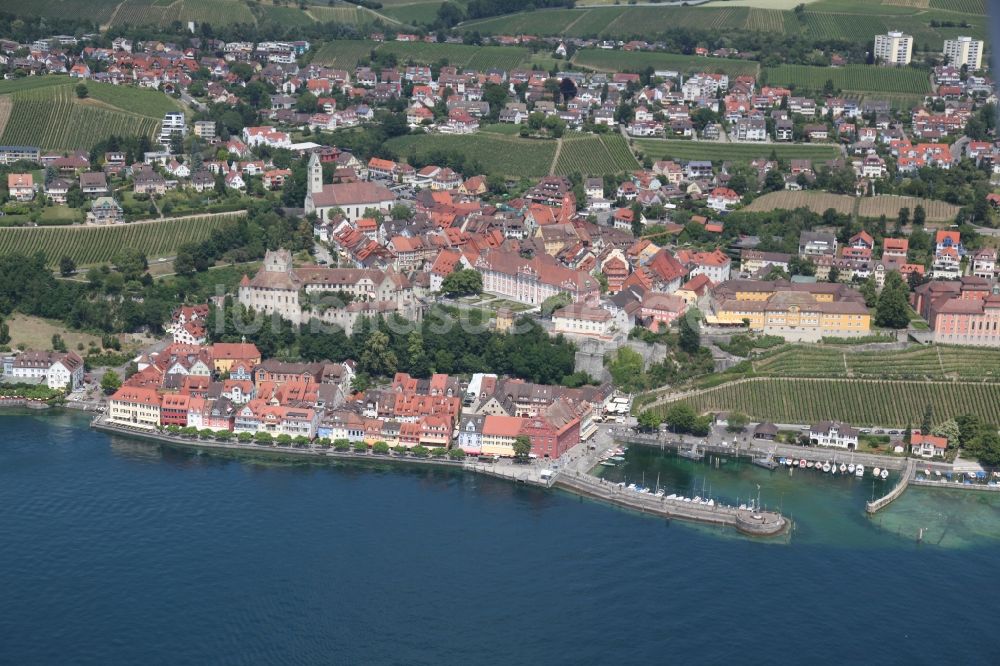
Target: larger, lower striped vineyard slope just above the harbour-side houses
[858,402]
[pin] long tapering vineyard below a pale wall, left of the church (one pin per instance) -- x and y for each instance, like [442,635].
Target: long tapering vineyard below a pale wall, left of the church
[95,245]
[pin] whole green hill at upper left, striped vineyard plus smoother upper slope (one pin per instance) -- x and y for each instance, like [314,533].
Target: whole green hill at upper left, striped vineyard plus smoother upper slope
[47,113]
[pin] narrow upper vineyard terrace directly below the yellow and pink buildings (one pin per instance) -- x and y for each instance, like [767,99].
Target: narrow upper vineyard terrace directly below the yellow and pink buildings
[918,363]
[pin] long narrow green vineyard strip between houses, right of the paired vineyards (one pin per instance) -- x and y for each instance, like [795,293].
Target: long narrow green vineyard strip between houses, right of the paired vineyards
[681,149]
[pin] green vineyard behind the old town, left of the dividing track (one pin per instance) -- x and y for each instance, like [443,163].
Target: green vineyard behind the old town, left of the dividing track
[500,155]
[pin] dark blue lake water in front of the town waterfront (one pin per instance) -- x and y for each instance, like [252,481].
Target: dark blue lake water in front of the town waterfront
[117,552]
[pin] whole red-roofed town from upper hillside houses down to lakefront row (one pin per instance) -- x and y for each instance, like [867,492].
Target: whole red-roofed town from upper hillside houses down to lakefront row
[674,211]
